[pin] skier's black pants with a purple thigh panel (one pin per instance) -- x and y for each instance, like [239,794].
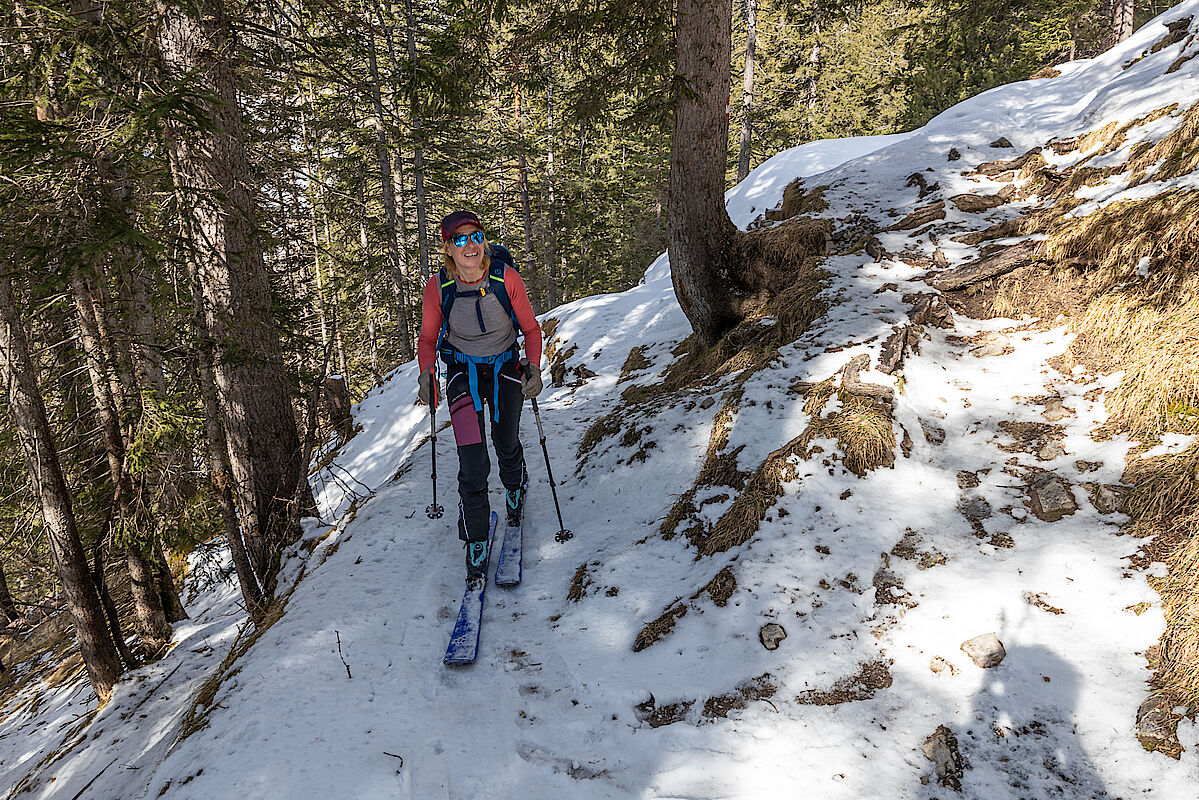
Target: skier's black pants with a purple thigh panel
[474,465]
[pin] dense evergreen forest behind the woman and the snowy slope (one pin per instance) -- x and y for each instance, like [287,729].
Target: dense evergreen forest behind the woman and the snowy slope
[360,125]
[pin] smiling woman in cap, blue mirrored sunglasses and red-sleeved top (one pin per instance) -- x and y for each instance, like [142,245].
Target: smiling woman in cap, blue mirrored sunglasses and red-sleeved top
[472,312]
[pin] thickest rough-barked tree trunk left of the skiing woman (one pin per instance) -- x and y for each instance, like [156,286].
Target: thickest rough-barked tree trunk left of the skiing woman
[212,175]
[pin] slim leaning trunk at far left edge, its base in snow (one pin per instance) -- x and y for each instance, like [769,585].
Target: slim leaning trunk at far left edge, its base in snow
[28,414]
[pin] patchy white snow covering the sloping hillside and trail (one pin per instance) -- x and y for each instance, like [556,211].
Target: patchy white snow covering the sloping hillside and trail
[346,695]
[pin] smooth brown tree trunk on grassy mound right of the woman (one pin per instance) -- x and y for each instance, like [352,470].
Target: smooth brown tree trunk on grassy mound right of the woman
[701,233]
